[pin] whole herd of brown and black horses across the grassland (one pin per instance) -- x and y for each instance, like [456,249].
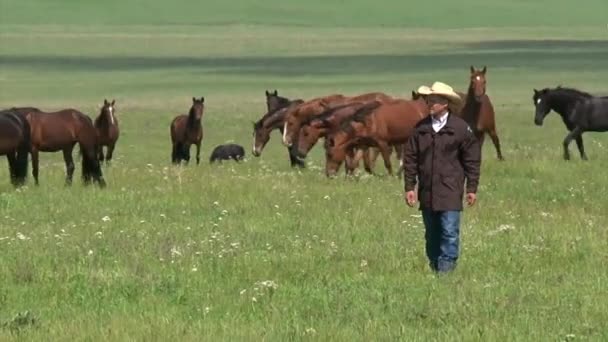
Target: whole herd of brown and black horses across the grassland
[354,128]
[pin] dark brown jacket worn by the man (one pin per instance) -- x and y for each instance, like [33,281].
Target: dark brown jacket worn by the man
[441,161]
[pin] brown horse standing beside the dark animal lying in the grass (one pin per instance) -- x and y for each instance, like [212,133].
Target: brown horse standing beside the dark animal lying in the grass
[187,130]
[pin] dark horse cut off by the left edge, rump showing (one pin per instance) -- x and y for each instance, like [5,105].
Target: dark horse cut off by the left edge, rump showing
[15,143]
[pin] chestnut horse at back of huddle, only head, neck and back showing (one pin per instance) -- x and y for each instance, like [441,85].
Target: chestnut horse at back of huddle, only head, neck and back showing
[314,107]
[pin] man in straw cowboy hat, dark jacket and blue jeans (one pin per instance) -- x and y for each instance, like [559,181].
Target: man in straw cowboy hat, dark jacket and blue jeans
[439,155]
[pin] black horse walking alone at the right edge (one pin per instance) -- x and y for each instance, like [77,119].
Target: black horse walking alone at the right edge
[580,111]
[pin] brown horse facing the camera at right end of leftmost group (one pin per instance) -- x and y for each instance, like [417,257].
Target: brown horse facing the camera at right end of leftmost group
[106,126]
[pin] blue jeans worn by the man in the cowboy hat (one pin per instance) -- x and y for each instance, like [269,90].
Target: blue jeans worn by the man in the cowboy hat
[442,238]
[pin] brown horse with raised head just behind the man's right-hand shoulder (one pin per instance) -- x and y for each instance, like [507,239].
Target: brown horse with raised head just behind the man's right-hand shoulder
[478,111]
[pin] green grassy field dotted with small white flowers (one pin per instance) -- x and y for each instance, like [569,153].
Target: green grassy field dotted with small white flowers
[258,251]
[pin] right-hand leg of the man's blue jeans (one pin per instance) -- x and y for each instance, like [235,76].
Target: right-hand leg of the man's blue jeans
[449,241]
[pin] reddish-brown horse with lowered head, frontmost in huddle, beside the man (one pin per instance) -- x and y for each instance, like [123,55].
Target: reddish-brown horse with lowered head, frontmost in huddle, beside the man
[388,125]
